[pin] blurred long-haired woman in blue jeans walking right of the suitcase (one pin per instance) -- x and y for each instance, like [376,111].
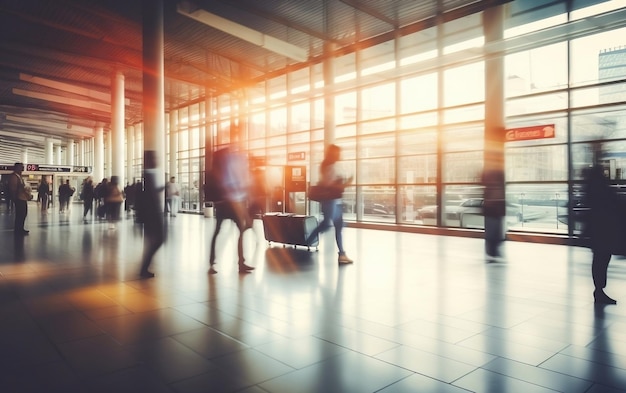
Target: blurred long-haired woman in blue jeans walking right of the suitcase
[332,208]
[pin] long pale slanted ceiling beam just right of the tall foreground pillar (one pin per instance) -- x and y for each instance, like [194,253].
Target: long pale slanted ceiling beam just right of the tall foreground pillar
[265,41]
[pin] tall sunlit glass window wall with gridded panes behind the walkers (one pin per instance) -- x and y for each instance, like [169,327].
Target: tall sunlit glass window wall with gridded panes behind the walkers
[411,125]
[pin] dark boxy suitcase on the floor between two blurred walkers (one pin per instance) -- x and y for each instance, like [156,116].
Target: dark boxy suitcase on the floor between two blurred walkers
[292,229]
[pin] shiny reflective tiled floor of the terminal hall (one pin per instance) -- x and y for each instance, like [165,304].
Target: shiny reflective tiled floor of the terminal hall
[415,313]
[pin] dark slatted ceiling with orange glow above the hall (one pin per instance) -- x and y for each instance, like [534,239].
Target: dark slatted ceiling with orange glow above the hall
[81,43]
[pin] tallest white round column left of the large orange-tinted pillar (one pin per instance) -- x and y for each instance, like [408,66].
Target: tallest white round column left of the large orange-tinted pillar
[116,147]
